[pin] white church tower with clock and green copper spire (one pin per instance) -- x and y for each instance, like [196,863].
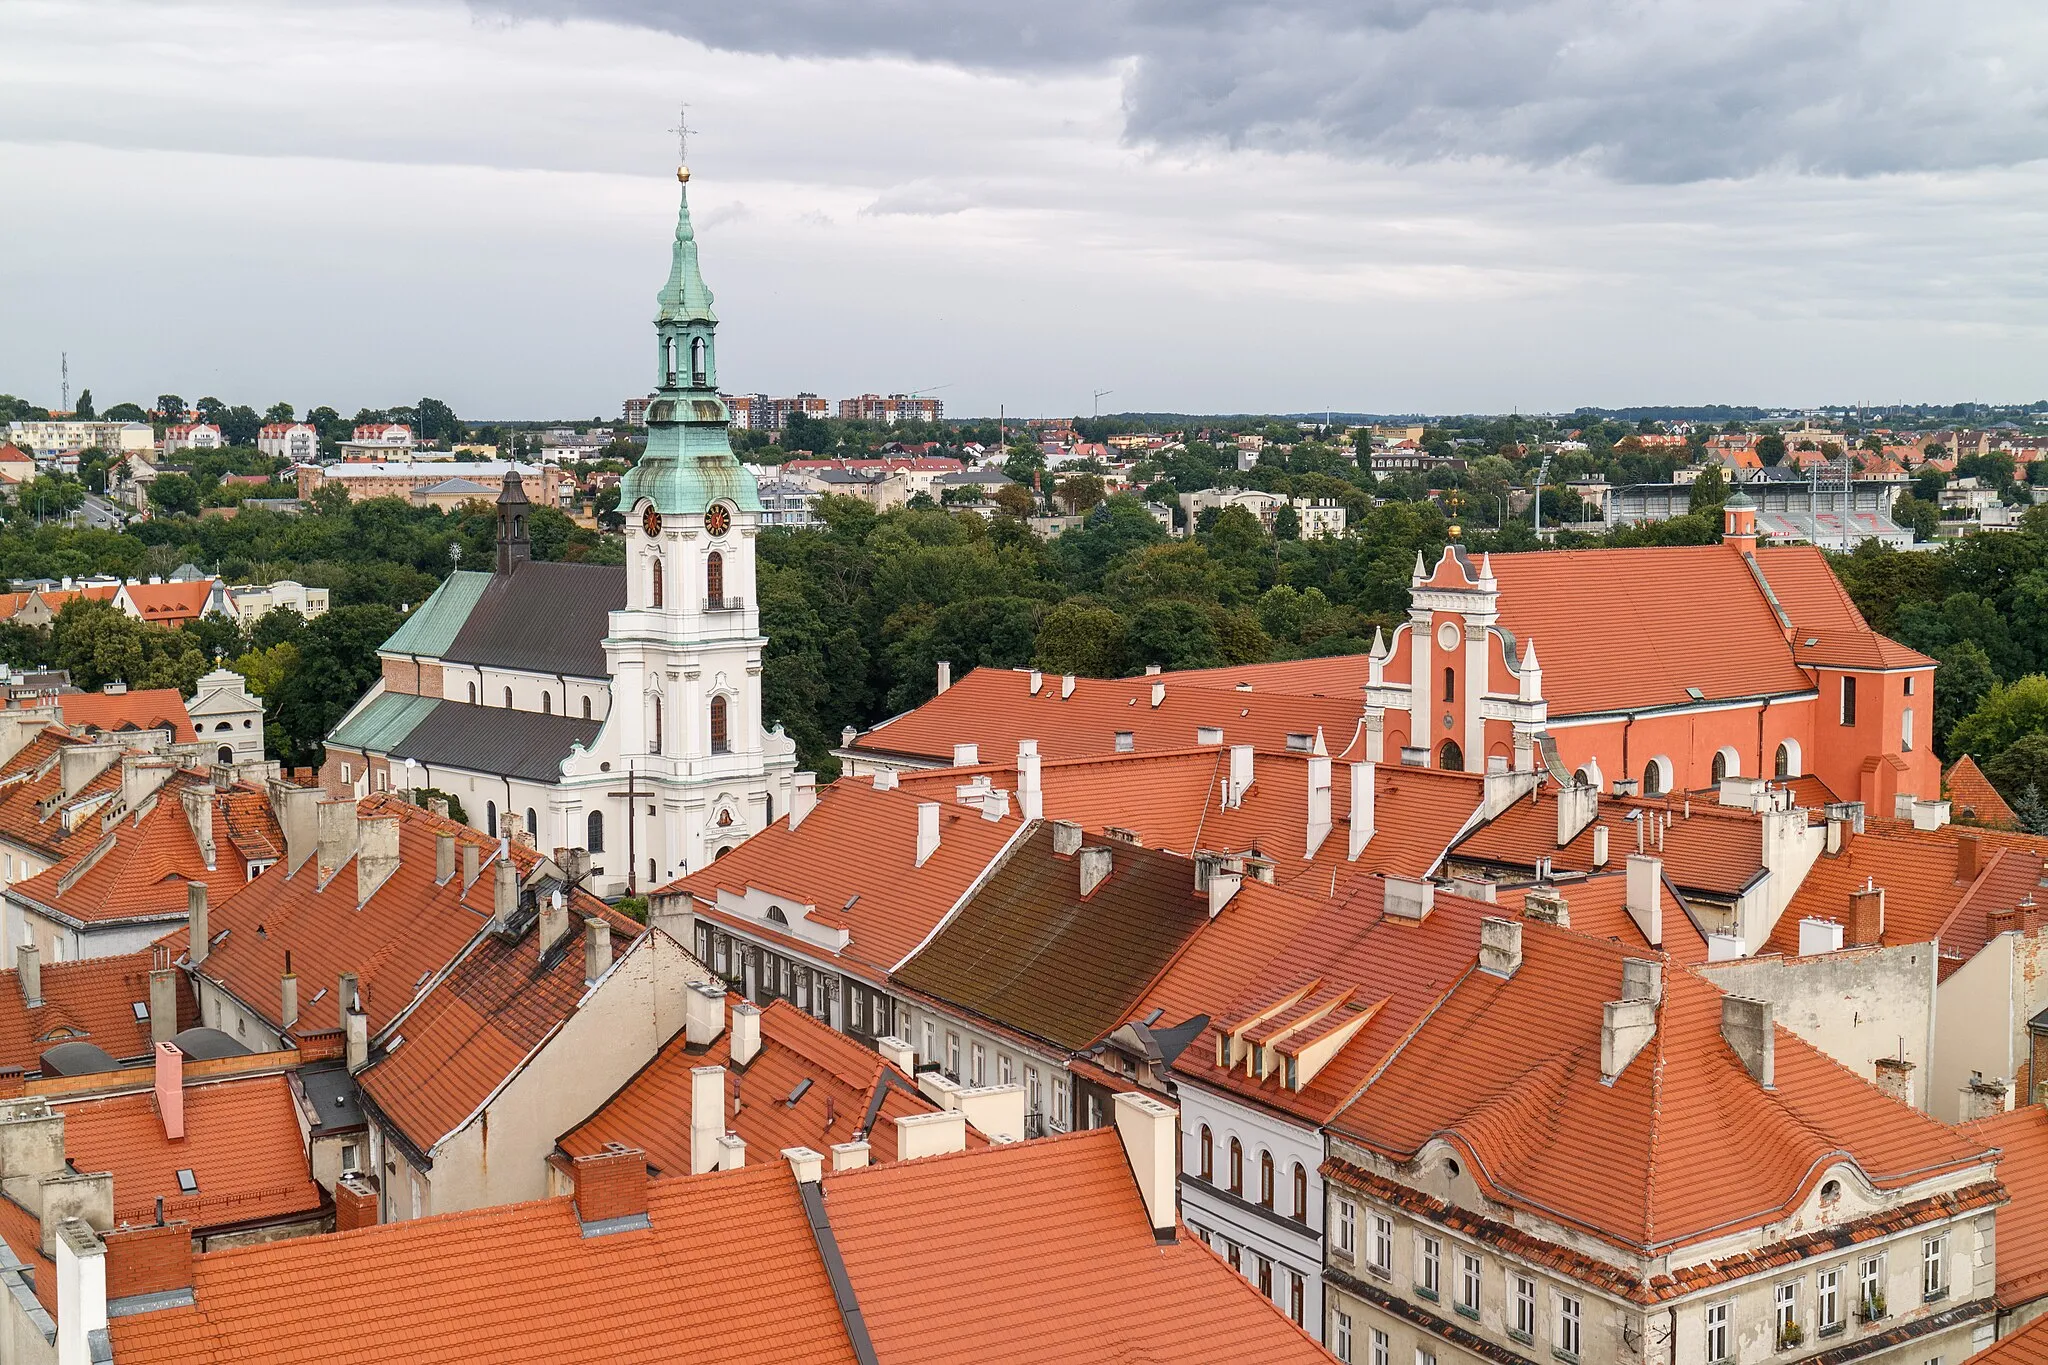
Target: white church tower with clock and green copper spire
[685,732]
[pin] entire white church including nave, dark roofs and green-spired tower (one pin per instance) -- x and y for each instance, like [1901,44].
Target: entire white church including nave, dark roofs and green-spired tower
[613,709]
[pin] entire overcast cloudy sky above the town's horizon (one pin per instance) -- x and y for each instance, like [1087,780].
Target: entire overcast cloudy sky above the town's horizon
[1199,206]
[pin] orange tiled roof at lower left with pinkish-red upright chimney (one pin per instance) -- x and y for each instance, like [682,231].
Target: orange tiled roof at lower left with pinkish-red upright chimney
[243,1143]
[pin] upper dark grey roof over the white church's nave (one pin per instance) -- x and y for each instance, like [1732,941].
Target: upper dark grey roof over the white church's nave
[544,619]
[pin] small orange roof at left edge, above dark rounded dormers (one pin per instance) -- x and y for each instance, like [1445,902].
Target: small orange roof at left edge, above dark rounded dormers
[85,1002]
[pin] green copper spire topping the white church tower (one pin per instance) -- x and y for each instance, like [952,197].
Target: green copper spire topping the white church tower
[689,461]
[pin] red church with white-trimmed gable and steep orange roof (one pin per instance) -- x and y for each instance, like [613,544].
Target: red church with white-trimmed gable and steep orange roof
[1654,670]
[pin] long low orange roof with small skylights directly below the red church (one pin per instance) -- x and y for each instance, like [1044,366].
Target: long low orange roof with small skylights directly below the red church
[1707,848]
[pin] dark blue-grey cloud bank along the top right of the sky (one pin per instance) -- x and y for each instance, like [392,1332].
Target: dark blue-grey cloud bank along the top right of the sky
[1664,91]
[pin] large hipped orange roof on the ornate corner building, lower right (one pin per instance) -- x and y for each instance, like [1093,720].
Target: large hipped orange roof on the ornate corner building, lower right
[1508,1071]
